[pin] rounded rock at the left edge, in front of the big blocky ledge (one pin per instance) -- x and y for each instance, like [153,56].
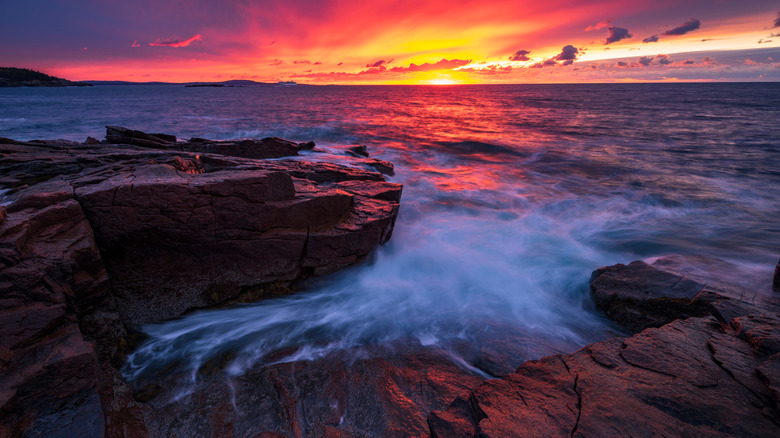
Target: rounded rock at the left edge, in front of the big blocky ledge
[55,297]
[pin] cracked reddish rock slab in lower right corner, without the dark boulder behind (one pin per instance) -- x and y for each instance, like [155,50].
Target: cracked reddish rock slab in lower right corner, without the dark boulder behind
[664,381]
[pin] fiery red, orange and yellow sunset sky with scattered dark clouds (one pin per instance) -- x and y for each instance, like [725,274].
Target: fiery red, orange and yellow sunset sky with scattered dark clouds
[395,42]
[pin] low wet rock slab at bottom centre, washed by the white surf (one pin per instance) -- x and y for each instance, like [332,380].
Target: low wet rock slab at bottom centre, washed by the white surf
[346,394]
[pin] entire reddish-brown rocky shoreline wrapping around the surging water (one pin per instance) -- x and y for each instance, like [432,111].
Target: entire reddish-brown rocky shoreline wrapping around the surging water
[100,238]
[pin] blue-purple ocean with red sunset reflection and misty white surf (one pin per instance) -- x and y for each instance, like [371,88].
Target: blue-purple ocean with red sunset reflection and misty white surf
[513,195]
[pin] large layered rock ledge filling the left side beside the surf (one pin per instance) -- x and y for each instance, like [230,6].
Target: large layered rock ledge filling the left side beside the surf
[96,239]
